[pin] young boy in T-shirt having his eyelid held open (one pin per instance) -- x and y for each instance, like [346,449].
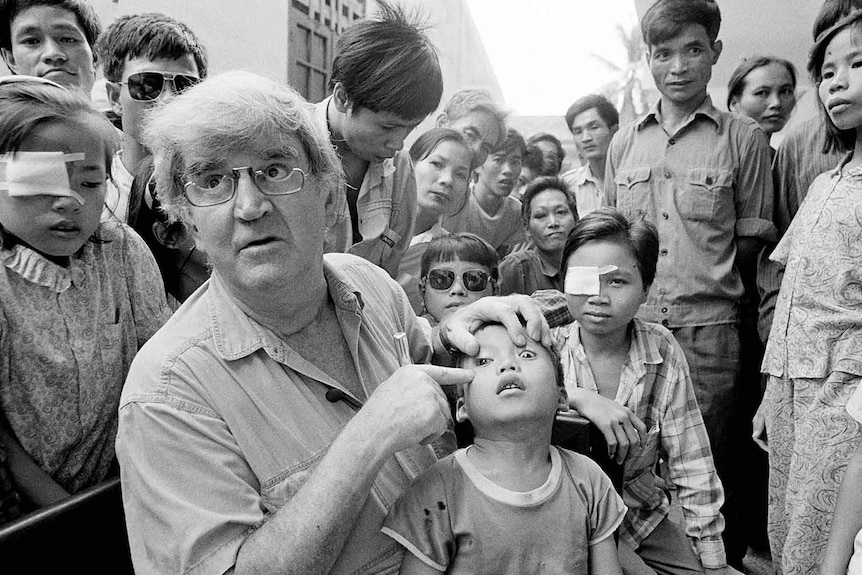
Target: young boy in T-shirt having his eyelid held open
[509,503]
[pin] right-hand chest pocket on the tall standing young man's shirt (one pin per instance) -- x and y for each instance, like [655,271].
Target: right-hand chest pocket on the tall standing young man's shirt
[709,195]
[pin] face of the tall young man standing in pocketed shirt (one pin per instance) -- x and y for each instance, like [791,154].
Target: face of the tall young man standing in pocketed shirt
[682,66]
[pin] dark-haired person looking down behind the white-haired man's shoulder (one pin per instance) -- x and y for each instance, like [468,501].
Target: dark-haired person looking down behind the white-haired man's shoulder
[385,80]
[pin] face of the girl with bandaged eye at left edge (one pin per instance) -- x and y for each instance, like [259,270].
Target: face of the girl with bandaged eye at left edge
[59,225]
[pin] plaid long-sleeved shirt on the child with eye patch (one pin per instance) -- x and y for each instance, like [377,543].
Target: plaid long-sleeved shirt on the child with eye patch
[655,385]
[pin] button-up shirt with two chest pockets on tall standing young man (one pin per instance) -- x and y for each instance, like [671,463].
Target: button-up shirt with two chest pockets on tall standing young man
[703,187]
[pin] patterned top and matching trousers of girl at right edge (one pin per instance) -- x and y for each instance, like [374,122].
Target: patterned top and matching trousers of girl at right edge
[814,360]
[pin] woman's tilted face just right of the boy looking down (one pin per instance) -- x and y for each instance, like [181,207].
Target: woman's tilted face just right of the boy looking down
[442,177]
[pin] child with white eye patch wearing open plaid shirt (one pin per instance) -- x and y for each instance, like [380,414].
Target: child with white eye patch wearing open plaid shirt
[617,366]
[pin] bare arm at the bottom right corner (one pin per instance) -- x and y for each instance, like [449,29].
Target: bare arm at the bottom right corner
[847,520]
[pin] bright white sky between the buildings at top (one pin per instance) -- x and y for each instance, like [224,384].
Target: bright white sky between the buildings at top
[542,50]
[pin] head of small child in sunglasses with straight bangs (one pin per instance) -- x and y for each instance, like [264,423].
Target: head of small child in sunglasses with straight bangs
[456,269]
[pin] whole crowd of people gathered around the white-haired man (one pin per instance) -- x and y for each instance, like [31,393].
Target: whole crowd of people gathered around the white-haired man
[304,348]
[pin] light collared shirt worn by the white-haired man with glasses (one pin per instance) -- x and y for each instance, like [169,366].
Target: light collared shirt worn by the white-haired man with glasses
[221,423]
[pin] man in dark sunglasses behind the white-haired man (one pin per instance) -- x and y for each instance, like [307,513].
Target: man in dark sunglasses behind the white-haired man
[146,58]
